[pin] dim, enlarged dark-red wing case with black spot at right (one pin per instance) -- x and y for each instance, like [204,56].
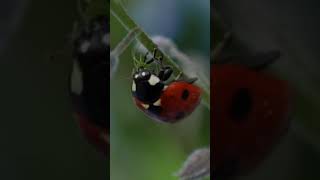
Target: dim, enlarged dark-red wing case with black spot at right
[249,115]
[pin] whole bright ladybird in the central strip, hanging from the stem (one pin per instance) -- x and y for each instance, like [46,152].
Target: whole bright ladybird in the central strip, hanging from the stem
[160,100]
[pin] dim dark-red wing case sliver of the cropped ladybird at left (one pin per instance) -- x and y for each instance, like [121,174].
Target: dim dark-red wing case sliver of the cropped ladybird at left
[96,135]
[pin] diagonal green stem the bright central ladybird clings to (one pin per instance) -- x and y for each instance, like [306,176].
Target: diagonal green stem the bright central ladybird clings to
[127,22]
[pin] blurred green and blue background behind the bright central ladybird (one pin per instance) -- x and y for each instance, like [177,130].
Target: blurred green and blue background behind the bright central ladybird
[142,149]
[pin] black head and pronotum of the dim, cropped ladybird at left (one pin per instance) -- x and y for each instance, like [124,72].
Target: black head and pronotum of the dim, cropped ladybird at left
[90,79]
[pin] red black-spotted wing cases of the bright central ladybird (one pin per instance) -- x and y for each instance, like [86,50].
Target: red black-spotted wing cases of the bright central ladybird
[178,101]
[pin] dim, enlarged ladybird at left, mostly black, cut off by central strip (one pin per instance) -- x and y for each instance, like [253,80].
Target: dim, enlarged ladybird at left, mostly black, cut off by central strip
[90,79]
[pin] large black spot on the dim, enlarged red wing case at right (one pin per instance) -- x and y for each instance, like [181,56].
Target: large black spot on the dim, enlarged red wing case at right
[241,105]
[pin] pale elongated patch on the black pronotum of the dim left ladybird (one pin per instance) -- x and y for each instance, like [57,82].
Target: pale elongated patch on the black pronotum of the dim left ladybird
[76,79]
